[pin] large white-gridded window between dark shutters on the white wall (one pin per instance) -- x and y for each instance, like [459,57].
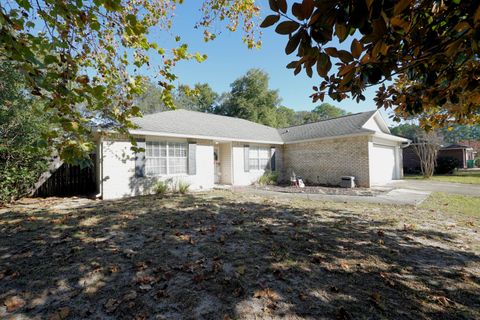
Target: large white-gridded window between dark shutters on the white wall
[165,158]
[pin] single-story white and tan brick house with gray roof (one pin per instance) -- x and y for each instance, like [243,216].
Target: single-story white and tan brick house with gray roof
[205,149]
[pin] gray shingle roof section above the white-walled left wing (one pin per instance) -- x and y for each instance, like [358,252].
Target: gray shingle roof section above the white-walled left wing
[204,124]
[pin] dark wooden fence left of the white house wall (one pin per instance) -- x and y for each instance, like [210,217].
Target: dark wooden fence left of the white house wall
[69,180]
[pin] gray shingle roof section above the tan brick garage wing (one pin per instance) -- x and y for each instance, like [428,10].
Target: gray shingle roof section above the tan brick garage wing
[346,125]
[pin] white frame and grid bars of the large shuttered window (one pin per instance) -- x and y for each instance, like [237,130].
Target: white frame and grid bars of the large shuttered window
[170,147]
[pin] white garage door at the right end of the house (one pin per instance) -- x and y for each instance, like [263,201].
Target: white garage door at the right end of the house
[383,169]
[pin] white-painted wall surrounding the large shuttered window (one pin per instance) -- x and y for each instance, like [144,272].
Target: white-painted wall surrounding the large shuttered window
[119,170]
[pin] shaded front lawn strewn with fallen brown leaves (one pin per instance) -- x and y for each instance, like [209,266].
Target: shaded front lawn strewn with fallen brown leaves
[221,255]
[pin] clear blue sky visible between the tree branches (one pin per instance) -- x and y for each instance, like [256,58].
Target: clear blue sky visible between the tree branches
[229,58]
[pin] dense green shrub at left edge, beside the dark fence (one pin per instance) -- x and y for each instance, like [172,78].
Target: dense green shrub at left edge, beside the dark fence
[23,151]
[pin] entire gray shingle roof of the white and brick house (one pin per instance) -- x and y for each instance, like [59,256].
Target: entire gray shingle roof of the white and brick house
[210,125]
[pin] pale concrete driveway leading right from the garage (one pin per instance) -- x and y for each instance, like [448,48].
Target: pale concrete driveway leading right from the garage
[437,186]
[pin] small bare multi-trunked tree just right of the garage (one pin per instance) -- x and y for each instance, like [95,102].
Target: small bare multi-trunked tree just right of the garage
[426,146]
